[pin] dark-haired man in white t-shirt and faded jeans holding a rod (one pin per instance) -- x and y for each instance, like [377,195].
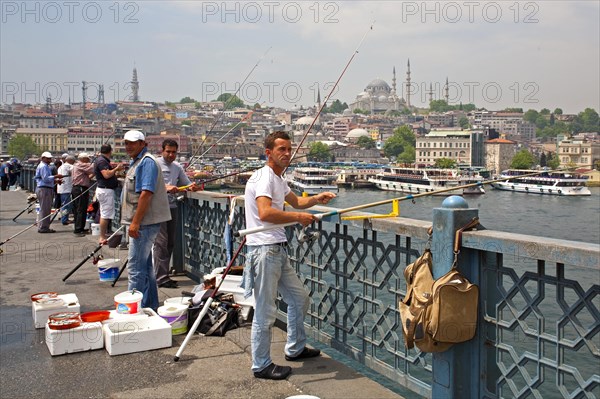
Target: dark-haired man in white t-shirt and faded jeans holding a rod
[267,264]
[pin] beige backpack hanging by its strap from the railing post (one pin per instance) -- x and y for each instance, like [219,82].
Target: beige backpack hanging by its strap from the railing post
[437,314]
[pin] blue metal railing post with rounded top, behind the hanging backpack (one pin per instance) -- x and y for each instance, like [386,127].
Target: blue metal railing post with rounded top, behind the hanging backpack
[456,371]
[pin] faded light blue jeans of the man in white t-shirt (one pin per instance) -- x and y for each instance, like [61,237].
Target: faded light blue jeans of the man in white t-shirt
[272,273]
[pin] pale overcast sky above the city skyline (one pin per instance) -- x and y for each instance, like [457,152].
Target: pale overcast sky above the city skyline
[496,54]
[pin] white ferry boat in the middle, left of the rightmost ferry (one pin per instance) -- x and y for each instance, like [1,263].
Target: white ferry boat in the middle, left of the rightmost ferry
[417,180]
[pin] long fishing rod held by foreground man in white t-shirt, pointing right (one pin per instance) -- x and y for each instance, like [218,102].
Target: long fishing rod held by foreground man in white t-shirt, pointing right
[321,216]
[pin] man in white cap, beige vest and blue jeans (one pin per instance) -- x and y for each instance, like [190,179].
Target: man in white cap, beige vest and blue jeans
[144,207]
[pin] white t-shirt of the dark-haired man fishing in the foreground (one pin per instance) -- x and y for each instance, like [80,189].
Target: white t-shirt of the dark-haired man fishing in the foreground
[264,183]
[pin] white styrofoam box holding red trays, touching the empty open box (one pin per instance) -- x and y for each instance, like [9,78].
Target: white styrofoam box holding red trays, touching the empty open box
[86,337]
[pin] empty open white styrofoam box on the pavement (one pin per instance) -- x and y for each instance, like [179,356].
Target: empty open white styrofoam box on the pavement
[136,335]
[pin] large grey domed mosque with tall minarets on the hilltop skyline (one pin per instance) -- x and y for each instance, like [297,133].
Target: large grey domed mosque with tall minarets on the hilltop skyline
[379,98]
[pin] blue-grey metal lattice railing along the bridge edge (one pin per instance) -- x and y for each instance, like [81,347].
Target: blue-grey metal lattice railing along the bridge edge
[539,324]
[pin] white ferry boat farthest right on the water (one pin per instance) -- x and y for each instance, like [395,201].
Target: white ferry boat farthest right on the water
[546,183]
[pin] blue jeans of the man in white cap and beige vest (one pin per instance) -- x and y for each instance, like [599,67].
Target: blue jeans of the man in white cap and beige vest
[139,265]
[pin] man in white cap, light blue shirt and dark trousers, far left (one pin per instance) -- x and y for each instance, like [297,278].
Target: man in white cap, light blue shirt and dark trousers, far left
[44,191]
